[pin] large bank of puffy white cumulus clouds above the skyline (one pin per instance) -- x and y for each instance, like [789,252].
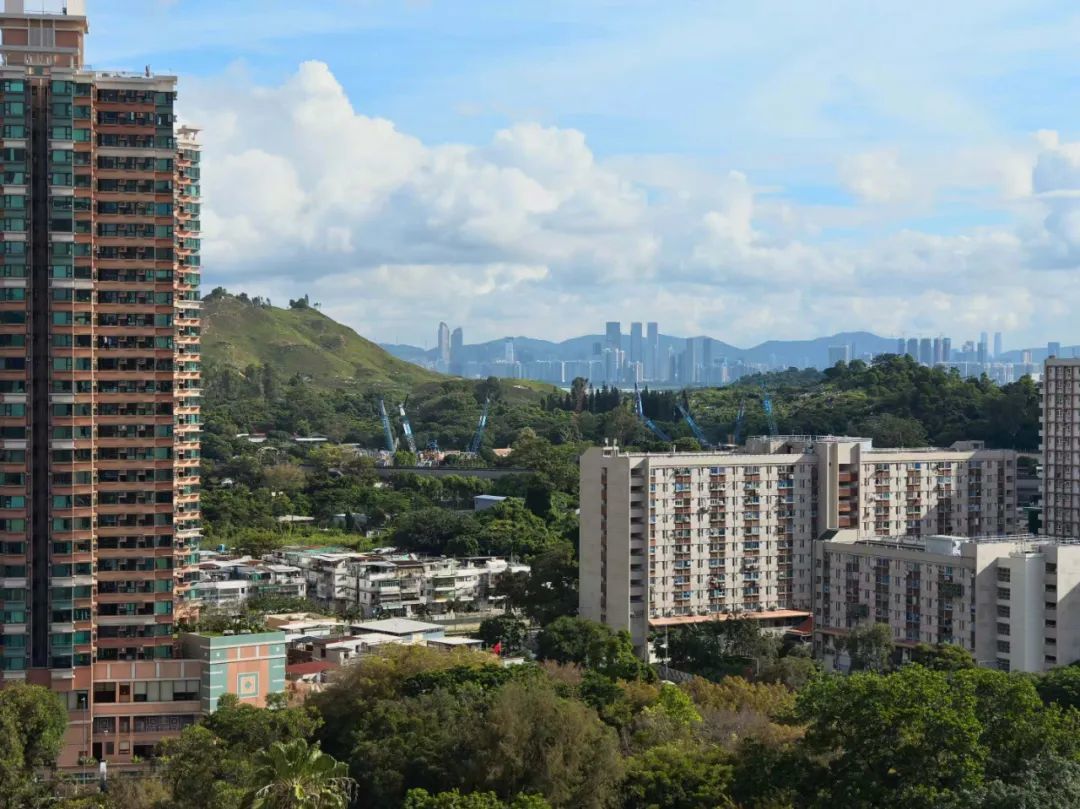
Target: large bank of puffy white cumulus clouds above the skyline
[532,234]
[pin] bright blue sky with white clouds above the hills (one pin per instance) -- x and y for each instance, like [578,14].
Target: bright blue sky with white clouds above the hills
[747,171]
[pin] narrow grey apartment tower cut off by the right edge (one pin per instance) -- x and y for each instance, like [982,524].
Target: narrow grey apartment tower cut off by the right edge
[1061,449]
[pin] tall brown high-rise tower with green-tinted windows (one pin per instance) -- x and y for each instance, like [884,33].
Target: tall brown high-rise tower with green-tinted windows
[99,365]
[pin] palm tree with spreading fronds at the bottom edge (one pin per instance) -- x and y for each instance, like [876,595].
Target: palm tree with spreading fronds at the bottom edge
[299,776]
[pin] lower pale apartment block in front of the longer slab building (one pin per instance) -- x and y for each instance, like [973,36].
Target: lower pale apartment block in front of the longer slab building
[1009,601]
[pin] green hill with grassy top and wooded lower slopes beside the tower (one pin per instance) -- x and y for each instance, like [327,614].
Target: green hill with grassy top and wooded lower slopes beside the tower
[298,372]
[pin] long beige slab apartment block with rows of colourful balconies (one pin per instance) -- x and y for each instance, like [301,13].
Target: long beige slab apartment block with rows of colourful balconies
[708,534]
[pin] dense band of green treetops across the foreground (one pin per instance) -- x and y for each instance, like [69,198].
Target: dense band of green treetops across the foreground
[417,729]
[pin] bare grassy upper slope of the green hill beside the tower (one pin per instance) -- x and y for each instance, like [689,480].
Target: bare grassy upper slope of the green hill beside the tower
[238,333]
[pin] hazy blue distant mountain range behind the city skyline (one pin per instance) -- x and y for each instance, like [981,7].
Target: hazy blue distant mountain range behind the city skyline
[801,354]
